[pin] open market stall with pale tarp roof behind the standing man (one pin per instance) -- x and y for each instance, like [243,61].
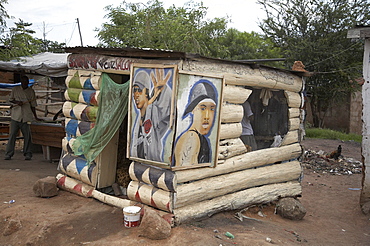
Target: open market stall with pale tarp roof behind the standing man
[47,72]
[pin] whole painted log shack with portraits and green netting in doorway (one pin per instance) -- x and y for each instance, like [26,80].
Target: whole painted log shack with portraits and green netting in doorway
[165,126]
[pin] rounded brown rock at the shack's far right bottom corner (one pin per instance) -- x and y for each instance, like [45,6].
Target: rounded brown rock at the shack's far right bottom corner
[290,208]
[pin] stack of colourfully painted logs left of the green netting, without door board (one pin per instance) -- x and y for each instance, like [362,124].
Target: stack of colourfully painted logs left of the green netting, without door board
[80,111]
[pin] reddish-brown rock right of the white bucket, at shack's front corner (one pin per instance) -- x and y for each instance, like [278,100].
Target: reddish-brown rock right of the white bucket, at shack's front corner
[153,226]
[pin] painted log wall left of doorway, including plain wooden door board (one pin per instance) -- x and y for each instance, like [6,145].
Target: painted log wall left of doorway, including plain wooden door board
[80,110]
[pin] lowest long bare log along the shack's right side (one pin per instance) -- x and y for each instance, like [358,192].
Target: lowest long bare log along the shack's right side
[237,200]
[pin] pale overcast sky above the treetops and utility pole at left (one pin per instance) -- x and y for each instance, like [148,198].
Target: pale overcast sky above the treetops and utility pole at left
[57,19]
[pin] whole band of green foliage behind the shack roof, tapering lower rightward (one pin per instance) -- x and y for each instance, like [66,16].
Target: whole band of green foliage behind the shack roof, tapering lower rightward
[180,29]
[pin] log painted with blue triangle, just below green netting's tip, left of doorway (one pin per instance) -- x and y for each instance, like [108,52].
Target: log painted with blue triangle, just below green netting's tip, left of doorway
[78,168]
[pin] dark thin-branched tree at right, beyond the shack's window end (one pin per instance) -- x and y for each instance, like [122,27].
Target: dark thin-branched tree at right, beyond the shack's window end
[314,32]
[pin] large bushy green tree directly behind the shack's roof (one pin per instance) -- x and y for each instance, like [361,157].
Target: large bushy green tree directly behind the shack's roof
[153,26]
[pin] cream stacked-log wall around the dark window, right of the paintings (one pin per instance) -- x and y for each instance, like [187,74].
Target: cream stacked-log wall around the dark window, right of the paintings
[241,178]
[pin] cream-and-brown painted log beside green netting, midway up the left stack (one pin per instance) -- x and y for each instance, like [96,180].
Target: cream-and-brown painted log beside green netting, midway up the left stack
[79,111]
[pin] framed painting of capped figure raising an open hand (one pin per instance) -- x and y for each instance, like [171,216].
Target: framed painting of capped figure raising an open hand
[151,109]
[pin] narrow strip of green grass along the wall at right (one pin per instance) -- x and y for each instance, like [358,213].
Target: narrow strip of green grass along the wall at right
[331,134]
